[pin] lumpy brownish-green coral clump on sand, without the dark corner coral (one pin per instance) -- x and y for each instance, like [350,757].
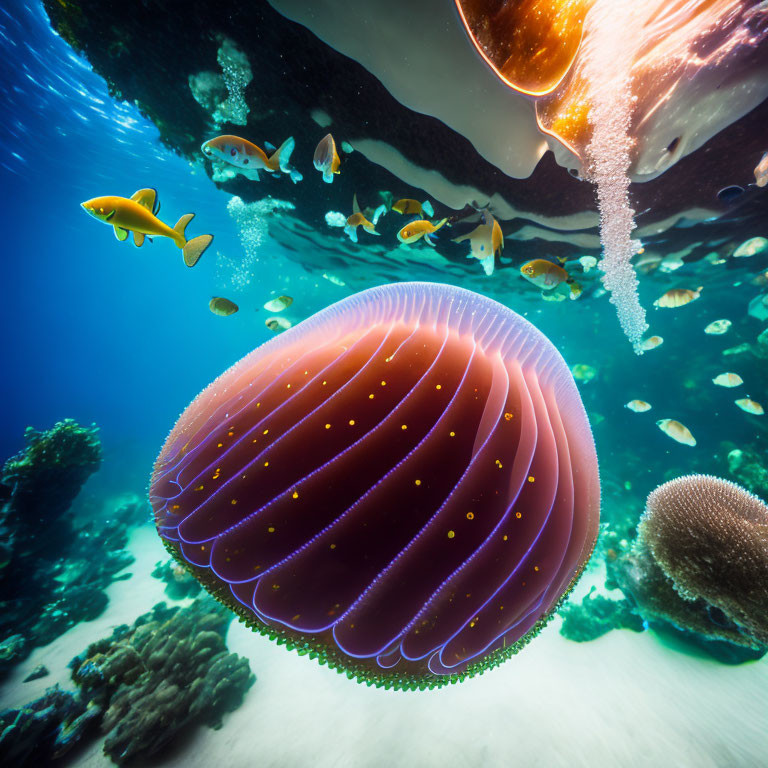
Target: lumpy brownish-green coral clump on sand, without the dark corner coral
[168,672]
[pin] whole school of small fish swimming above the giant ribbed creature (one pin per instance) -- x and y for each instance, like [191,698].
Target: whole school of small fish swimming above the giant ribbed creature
[137,215]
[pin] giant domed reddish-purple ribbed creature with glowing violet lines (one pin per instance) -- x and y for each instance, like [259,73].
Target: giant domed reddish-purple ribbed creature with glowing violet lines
[403,486]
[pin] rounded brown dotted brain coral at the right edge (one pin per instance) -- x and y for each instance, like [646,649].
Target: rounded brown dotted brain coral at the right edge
[710,537]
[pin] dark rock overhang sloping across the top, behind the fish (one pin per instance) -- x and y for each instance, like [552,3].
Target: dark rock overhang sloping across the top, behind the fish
[141,65]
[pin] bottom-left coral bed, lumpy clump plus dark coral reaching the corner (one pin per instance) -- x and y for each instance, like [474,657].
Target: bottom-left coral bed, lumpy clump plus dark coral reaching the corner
[141,687]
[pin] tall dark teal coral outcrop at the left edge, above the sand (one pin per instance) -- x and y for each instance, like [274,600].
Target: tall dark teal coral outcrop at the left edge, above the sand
[53,570]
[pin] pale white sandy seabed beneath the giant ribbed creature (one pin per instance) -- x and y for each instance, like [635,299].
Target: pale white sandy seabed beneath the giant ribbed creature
[625,699]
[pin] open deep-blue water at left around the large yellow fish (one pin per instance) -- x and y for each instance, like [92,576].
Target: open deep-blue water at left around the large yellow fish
[97,330]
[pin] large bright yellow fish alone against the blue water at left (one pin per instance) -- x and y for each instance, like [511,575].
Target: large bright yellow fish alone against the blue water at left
[139,215]
